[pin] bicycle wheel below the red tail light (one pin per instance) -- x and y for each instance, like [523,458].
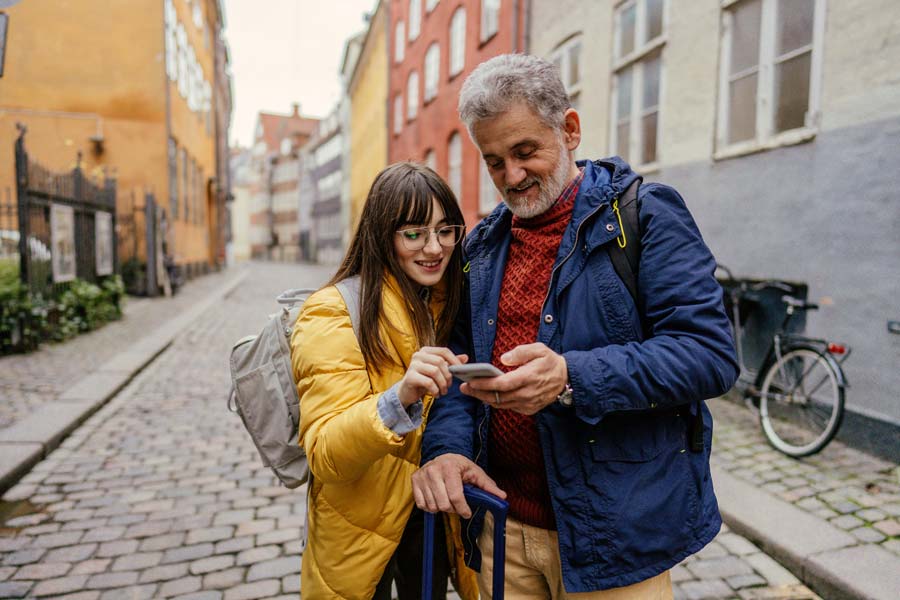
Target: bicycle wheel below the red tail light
[801,401]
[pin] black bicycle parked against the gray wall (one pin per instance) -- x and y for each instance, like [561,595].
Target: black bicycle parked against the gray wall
[797,383]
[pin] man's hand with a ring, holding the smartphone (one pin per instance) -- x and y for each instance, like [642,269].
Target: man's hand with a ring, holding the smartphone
[540,377]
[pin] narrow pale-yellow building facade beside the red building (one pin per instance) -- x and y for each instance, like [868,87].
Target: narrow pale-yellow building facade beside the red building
[368,115]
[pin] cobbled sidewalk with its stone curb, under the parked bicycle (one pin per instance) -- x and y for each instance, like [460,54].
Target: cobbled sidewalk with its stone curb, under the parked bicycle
[832,518]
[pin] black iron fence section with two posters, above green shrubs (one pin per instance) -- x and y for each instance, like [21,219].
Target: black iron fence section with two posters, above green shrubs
[66,224]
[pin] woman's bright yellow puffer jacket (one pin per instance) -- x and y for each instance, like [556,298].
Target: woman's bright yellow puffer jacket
[361,495]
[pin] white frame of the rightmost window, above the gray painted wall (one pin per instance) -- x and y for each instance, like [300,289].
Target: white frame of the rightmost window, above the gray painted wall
[766,137]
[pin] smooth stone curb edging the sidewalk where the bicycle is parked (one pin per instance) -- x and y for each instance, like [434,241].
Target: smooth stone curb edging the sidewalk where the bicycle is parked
[827,559]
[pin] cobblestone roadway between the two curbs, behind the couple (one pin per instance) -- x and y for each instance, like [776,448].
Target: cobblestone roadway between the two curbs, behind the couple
[160,494]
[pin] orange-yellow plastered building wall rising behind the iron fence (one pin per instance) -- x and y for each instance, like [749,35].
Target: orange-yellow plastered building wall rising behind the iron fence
[78,69]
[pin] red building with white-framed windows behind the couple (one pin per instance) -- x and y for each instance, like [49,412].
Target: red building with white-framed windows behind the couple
[432,46]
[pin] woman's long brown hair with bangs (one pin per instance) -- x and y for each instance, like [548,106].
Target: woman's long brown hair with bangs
[401,195]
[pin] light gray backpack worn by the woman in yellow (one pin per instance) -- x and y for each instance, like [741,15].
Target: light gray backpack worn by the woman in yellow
[263,390]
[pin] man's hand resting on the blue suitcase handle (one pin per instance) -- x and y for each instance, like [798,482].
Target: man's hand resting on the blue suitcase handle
[437,485]
